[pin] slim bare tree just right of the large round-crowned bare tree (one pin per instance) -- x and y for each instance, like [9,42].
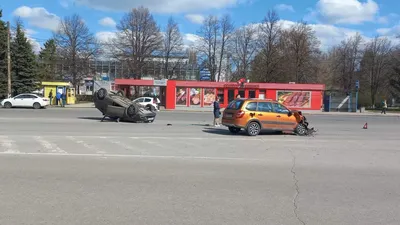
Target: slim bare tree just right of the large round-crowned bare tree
[173,43]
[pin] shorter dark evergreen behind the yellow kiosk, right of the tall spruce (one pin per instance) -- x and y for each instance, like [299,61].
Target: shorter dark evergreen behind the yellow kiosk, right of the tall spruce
[48,61]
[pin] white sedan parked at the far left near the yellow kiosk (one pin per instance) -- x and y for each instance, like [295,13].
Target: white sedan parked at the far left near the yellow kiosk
[26,100]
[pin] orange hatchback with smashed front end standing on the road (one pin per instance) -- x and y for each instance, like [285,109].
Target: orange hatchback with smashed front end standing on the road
[256,115]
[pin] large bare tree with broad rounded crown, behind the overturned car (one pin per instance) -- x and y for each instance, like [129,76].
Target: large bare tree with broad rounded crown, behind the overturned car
[137,40]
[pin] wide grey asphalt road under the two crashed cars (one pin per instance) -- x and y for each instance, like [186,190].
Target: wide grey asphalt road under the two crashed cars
[63,166]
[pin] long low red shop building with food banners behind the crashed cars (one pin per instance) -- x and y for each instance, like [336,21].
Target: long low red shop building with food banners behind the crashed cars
[175,93]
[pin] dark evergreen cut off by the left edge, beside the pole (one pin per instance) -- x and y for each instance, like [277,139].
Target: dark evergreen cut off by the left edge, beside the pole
[3,56]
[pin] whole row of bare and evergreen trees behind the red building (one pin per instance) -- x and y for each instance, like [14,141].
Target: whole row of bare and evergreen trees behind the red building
[261,52]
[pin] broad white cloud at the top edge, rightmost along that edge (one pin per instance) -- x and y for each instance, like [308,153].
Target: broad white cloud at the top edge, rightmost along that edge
[346,11]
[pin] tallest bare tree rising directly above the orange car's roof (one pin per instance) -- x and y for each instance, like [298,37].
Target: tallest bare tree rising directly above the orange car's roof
[266,66]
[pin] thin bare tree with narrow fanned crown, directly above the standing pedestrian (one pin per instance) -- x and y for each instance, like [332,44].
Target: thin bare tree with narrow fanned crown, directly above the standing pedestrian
[226,31]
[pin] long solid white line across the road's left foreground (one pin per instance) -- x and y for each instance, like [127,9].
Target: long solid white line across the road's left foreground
[137,156]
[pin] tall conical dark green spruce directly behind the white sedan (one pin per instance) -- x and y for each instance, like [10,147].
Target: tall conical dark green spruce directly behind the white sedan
[23,63]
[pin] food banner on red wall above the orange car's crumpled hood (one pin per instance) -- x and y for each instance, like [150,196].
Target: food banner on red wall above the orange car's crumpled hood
[295,99]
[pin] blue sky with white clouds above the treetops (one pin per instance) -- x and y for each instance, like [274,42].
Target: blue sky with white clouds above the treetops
[332,20]
